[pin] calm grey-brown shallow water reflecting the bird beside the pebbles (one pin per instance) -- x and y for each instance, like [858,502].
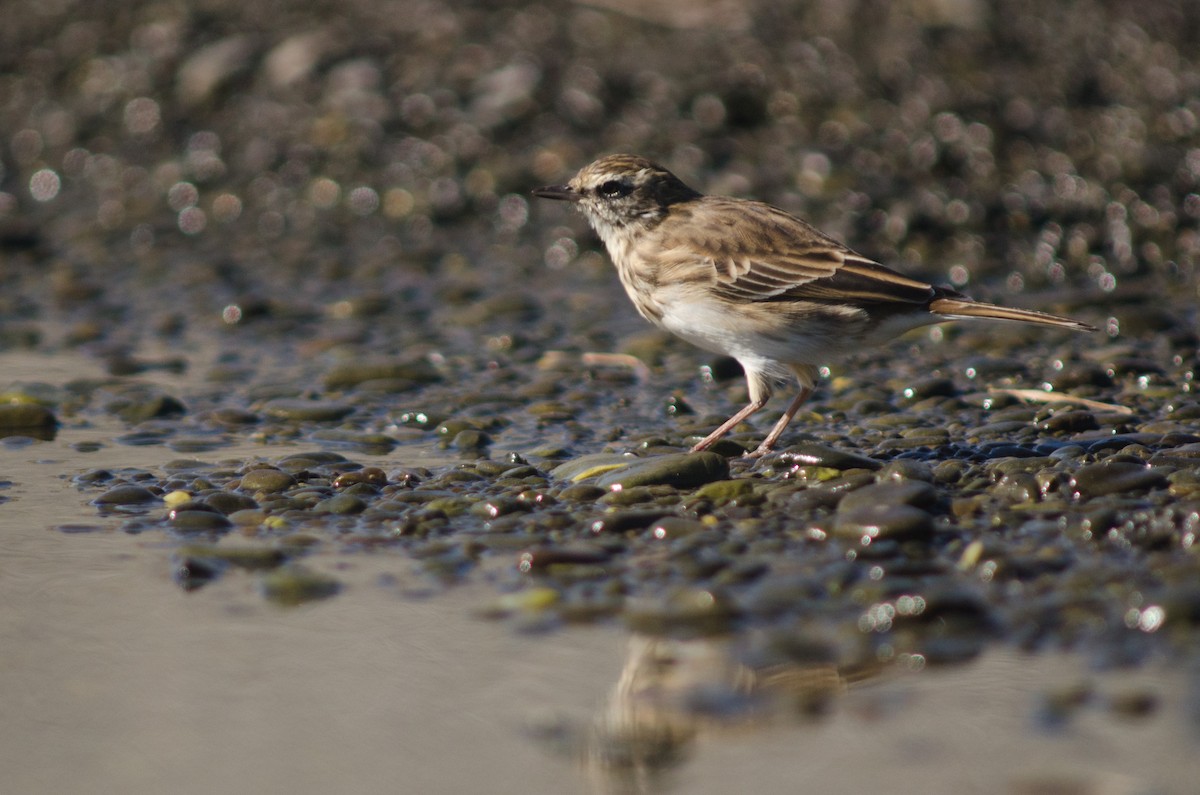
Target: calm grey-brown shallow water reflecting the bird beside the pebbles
[116,680]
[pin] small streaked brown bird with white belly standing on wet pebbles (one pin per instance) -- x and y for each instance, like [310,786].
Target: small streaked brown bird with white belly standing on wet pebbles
[752,282]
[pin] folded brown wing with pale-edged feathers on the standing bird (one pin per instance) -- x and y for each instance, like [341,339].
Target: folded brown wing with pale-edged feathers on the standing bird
[757,253]
